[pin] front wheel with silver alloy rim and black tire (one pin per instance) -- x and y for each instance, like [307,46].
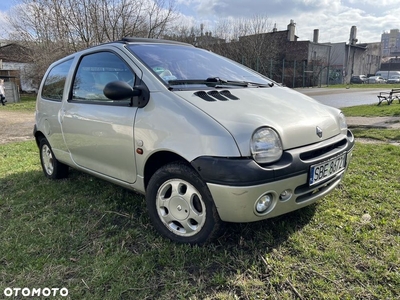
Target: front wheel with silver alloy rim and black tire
[180,205]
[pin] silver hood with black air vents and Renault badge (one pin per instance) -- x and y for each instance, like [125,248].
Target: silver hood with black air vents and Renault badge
[241,111]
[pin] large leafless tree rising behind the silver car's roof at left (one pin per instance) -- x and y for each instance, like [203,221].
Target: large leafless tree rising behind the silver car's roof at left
[54,28]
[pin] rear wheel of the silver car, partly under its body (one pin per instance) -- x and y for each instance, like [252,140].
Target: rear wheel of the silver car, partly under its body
[52,168]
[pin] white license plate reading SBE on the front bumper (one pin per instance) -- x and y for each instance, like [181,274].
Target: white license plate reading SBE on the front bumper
[327,169]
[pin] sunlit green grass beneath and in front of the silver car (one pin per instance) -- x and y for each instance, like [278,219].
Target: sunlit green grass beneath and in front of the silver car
[95,238]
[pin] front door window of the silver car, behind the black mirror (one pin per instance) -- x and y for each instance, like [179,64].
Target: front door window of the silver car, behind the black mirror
[94,72]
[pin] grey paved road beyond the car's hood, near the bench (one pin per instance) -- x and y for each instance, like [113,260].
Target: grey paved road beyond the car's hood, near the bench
[342,97]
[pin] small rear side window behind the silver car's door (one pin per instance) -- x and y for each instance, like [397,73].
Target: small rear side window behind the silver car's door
[53,87]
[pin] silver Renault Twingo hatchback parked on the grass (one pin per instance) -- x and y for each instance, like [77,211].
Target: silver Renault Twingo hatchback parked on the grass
[205,139]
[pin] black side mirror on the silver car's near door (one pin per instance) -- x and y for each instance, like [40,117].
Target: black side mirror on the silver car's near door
[120,90]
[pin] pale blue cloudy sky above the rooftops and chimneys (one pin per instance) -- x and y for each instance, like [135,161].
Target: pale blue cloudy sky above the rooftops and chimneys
[333,18]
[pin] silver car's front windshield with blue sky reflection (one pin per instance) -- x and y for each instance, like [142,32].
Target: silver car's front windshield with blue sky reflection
[181,65]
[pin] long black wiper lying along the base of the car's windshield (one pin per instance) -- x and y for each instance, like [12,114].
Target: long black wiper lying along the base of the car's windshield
[218,82]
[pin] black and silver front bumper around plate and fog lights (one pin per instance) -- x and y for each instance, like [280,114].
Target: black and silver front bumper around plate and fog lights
[237,184]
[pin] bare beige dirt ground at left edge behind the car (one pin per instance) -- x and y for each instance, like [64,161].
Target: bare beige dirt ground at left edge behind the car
[16,126]
